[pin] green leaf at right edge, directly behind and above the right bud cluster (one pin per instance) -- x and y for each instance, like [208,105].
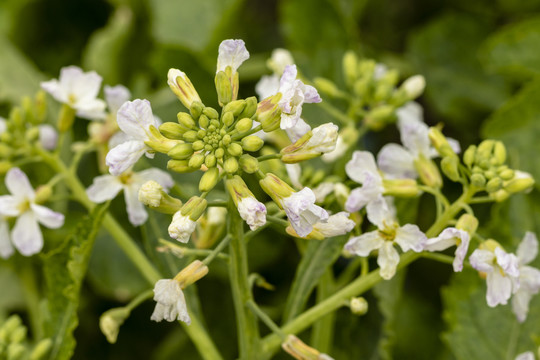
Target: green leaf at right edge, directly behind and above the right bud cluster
[517,124]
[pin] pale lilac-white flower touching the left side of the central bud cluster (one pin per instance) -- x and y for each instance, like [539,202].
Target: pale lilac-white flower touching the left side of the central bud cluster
[135,119]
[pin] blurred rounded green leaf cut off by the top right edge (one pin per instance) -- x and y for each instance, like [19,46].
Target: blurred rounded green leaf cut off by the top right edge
[513,50]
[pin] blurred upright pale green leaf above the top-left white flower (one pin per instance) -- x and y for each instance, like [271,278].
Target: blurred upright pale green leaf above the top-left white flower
[105,48]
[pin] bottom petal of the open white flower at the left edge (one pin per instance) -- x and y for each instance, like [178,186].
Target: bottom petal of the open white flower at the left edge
[26,234]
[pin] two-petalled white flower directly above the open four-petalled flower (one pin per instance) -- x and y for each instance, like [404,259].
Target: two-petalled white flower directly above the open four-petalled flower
[362,169]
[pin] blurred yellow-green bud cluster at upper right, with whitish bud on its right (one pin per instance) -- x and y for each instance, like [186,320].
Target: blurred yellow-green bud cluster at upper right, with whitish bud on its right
[373,89]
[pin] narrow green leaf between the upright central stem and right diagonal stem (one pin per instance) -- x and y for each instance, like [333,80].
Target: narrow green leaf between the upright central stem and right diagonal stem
[318,256]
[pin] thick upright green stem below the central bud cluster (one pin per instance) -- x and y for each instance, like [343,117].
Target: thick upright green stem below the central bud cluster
[246,322]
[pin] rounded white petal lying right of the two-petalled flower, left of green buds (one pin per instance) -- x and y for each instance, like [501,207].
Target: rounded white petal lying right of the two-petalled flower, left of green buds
[396,162]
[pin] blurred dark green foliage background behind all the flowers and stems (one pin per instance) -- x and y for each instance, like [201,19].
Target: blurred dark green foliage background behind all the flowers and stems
[481,60]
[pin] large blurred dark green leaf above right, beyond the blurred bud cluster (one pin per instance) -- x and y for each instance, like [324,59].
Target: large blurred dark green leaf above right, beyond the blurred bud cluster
[444,51]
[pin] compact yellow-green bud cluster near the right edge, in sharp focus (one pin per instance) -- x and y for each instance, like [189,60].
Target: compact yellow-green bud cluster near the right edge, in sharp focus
[489,172]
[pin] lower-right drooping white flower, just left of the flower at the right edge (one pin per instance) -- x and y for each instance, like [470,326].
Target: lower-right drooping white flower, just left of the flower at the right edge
[502,273]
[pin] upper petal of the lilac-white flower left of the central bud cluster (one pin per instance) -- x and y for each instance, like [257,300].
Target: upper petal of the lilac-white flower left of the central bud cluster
[135,118]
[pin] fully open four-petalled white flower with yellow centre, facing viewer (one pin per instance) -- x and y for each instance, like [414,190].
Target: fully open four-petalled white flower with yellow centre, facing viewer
[408,237]
